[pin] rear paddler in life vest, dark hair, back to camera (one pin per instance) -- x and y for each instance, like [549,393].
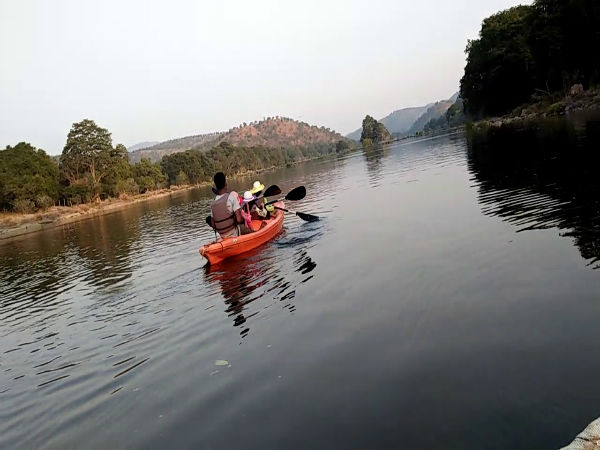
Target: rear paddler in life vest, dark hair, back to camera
[226,210]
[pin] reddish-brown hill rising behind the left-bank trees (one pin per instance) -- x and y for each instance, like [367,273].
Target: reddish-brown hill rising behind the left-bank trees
[273,132]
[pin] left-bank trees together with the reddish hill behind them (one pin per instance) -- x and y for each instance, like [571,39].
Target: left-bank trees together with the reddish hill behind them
[91,168]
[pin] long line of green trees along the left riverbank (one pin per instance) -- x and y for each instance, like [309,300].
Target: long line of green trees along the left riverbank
[90,168]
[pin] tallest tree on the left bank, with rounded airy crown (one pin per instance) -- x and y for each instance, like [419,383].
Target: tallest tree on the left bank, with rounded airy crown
[87,155]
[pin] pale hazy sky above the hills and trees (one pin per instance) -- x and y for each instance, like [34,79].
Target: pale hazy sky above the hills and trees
[157,70]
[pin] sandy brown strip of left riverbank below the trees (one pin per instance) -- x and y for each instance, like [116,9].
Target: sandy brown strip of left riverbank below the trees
[15,224]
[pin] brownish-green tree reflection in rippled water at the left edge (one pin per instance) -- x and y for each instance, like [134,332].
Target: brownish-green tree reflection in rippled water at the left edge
[38,267]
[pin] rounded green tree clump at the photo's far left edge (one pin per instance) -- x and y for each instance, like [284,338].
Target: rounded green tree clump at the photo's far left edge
[27,176]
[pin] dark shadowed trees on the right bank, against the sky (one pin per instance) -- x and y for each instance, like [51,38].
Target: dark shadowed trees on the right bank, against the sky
[531,51]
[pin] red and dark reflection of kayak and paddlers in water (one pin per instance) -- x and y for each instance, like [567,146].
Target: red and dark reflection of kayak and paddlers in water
[244,280]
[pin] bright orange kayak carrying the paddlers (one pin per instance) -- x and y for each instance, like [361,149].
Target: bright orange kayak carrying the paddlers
[218,251]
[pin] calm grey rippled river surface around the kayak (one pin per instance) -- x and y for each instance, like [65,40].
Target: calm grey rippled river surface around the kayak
[446,299]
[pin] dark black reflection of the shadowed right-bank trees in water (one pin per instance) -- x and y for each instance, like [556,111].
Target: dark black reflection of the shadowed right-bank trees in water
[541,175]
